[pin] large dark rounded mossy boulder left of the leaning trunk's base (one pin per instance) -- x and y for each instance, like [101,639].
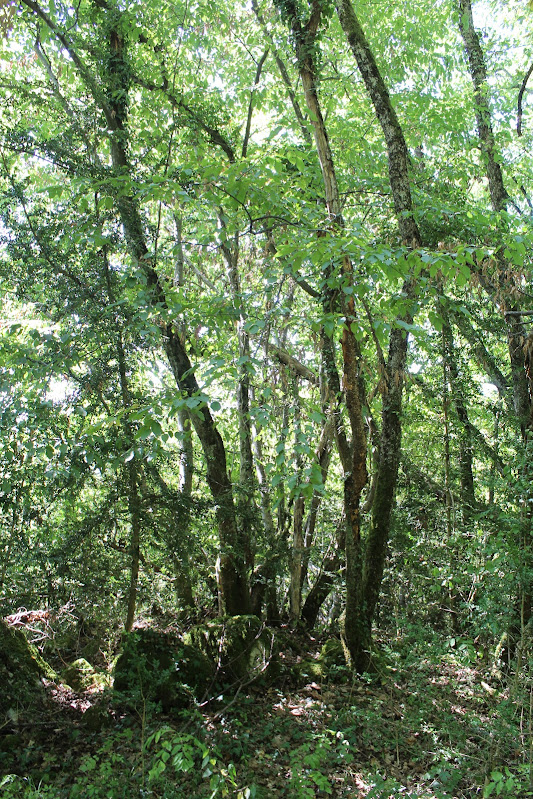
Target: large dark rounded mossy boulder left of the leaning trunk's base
[159,667]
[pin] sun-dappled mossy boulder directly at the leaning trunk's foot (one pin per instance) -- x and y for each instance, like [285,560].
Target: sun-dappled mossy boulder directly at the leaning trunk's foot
[241,647]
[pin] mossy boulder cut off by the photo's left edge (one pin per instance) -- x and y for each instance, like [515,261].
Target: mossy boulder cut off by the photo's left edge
[21,671]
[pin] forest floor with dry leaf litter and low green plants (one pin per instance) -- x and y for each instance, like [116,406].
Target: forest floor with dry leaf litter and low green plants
[429,726]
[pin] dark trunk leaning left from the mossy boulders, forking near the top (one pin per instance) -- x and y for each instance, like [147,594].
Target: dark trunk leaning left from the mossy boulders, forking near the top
[110,90]
